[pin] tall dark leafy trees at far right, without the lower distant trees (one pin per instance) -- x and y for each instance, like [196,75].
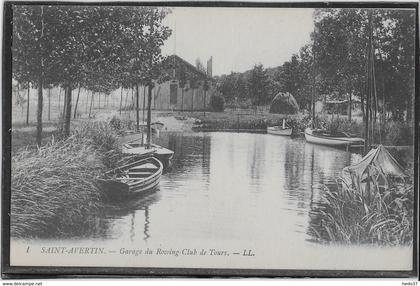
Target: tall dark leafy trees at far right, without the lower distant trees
[342,55]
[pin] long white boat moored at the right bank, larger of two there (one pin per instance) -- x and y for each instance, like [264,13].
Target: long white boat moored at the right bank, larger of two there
[338,139]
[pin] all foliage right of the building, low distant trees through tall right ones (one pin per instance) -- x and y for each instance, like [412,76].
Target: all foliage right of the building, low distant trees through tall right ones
[334,63]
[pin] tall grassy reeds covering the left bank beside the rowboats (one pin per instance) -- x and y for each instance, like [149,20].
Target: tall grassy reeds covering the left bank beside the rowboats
[53,189]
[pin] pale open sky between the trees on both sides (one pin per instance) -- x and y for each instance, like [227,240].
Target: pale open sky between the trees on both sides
[237,38]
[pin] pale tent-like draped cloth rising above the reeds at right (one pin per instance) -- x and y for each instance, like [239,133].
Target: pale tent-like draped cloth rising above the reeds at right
[377,165]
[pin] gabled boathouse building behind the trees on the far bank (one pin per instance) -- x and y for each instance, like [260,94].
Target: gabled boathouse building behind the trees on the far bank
[186,88]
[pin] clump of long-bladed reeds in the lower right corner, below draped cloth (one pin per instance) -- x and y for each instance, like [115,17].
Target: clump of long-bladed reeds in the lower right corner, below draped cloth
[385,218]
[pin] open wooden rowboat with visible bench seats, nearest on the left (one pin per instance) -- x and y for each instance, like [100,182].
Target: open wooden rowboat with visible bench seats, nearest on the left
[132,179]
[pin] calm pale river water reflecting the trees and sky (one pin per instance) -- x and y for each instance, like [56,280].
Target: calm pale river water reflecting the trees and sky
[231,186]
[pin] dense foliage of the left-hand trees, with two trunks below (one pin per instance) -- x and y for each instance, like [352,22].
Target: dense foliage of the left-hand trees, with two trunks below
[96,47]
